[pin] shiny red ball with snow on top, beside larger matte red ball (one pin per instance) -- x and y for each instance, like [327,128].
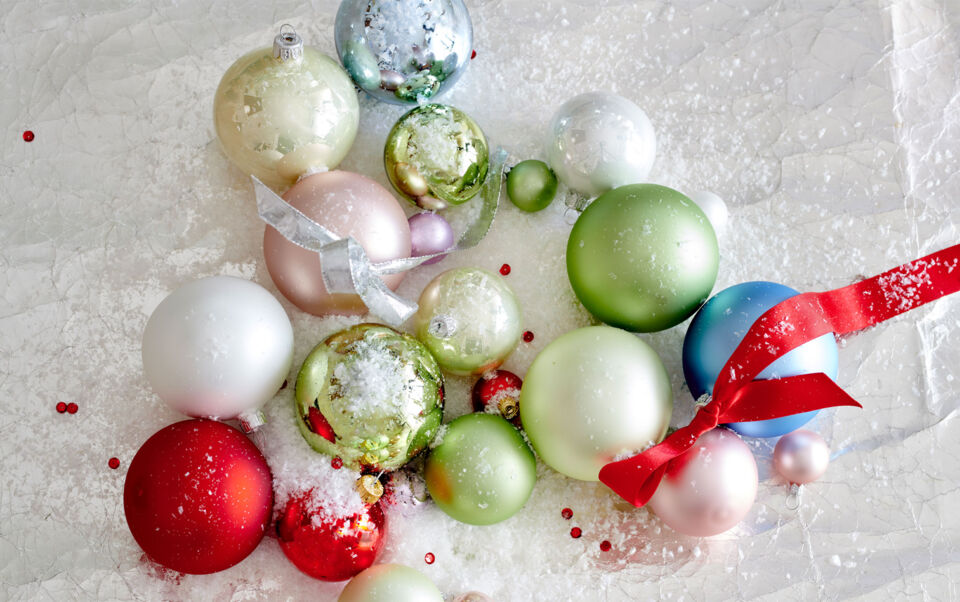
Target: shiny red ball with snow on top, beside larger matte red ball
[329,548]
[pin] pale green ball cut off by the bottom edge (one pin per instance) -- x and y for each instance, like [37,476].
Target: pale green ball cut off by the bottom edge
[390,583]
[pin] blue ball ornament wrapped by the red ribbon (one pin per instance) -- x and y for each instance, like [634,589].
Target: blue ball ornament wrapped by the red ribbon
[719,327]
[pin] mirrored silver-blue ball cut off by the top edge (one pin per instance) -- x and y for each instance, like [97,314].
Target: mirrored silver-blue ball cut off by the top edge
[404,51]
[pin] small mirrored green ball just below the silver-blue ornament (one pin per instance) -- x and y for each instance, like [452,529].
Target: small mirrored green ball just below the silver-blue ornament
[436,156]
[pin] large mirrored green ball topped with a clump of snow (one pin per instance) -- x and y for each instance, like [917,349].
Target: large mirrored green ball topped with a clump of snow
[370,395]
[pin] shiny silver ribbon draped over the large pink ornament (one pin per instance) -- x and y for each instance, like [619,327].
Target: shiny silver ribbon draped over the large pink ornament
[344,264]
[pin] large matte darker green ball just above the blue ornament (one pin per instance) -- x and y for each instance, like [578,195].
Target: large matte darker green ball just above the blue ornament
[642,257]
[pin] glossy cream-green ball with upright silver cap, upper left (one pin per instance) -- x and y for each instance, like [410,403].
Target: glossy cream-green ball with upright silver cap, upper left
[285,111]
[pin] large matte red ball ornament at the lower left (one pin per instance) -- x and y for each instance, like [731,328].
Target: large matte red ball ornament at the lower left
[198,496]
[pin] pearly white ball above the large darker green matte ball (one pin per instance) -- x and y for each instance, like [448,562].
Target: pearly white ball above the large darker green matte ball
[598,141]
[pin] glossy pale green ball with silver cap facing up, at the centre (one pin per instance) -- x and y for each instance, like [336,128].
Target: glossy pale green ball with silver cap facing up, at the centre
[469,319]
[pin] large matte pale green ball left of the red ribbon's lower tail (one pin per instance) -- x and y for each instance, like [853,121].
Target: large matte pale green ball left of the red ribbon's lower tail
[592,395]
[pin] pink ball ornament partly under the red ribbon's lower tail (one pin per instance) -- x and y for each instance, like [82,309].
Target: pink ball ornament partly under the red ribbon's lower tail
[710,488]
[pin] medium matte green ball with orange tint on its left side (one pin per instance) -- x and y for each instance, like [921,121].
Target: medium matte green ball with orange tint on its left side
[482,472]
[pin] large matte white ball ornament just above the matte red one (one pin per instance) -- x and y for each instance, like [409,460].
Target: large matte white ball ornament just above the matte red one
[218,347]
